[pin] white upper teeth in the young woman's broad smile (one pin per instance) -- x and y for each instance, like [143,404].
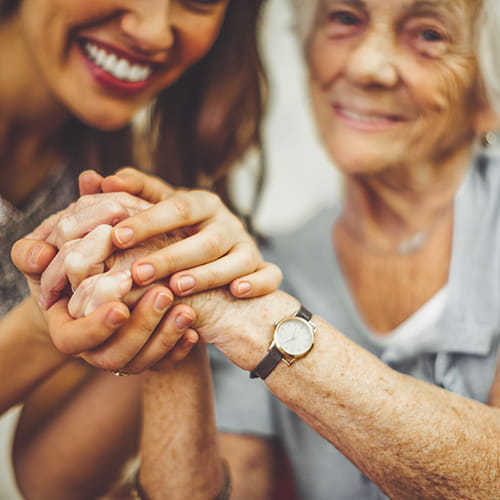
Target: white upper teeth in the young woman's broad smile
[119,67]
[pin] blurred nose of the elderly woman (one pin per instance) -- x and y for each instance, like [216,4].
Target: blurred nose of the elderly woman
[373,62]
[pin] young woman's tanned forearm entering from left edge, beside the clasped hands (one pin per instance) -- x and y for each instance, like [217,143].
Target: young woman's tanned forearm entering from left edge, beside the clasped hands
[27,355]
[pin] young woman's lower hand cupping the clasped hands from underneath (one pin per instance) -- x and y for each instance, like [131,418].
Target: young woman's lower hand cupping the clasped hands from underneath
[112,336]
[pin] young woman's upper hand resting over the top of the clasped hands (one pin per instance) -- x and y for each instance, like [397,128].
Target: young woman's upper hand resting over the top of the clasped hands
[216,252]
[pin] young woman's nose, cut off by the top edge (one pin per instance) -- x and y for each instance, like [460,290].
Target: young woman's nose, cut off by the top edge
[147,24]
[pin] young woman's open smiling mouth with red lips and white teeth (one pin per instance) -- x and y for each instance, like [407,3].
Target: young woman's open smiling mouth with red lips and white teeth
[118,71]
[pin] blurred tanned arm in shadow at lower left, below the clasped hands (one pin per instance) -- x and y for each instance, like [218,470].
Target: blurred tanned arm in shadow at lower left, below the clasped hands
[78,450]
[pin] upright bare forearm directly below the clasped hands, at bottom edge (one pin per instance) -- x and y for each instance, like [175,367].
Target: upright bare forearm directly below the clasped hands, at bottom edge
[179,448]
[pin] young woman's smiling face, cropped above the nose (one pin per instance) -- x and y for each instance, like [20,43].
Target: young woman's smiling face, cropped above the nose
[104,59]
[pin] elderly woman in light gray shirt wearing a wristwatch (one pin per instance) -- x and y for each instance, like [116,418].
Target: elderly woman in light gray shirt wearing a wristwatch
[402,403]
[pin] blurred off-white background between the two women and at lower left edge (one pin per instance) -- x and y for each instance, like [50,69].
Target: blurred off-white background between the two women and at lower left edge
[300,178]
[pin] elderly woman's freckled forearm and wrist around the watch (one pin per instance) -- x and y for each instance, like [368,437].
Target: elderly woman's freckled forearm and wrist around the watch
[411,438]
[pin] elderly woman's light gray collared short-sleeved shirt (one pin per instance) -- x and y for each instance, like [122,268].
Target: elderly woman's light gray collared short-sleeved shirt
[460,353]
